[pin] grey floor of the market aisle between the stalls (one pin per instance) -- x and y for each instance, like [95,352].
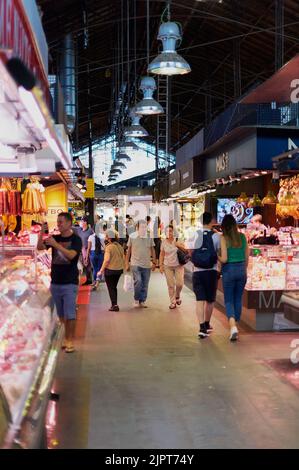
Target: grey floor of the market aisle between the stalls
[142,379]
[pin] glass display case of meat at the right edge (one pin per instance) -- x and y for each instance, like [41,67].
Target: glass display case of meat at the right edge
[273,268]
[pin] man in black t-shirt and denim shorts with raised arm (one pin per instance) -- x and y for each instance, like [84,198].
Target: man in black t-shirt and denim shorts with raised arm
[66,249]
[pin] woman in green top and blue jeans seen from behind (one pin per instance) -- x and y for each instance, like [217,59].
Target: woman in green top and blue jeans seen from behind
[234,256]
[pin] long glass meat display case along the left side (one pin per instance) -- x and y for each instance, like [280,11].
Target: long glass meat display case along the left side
[30,339]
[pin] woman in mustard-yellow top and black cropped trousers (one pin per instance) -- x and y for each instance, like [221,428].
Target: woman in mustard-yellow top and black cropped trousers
[112,266]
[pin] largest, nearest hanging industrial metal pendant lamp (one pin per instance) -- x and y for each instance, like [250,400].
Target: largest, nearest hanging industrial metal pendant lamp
[169,62]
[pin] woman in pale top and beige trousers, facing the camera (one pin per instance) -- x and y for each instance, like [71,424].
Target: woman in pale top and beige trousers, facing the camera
[169,264]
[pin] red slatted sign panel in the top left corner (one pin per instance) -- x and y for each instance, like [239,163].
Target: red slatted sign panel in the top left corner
[16,35]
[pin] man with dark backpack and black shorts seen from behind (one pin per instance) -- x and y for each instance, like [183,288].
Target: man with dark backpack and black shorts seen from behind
[203,250]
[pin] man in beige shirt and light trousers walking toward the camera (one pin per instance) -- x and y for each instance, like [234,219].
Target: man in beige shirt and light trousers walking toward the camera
[140,250]
